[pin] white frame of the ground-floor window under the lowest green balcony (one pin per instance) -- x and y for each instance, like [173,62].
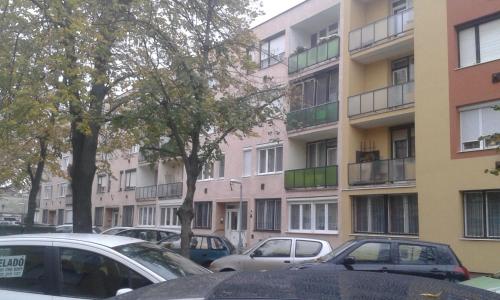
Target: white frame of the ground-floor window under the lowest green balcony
[313,204]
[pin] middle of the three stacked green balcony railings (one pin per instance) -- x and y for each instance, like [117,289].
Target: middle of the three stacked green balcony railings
[312,116]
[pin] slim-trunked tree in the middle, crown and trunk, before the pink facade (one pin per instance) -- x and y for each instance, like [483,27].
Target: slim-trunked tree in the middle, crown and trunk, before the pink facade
[195,85]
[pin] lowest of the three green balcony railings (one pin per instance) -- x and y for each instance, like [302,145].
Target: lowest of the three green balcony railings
[311,178]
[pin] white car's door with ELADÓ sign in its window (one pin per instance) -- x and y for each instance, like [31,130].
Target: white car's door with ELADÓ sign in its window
[25,271]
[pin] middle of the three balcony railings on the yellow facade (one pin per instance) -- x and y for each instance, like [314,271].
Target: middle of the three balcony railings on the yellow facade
[387,97]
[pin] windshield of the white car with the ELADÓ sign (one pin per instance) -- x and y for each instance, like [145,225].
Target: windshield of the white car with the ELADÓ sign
[163,262]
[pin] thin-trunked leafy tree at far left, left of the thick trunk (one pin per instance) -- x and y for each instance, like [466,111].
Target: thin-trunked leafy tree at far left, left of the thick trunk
[31,128]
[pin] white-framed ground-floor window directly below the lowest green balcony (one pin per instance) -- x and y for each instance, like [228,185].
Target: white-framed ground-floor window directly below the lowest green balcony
[313,216]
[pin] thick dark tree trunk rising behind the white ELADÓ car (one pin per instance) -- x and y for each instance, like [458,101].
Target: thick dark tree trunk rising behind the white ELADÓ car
[82,173]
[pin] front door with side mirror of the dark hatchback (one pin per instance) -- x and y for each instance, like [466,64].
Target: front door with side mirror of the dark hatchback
[371,256]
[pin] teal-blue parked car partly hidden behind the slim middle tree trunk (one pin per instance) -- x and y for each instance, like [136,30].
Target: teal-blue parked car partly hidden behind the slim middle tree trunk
[204,248]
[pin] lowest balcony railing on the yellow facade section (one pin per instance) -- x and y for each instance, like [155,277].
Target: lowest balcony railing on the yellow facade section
[382,171]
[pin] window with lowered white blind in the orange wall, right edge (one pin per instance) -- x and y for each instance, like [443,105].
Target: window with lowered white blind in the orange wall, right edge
[479,121]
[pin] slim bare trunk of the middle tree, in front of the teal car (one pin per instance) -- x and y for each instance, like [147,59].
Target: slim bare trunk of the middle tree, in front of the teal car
[186,214]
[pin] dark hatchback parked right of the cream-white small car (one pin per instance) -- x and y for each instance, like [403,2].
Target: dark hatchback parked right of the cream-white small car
[396,256]
